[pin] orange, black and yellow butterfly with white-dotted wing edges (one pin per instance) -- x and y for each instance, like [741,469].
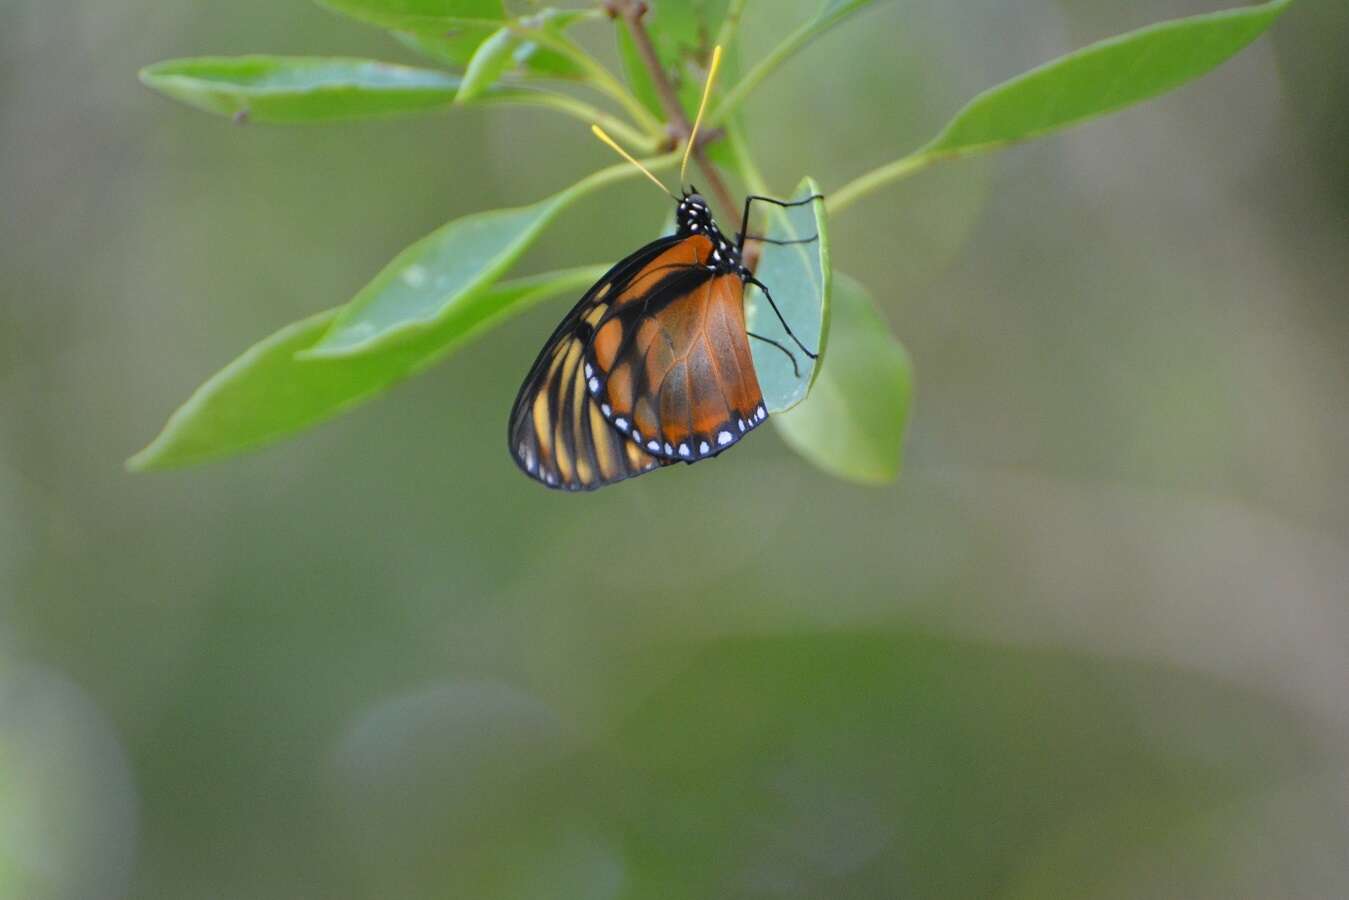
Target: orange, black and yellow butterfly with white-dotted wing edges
[650,369]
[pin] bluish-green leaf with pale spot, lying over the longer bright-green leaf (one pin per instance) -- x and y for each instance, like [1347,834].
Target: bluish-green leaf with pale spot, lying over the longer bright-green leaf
[428,281]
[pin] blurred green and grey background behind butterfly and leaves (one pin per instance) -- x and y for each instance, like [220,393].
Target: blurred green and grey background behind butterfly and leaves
[1093,644]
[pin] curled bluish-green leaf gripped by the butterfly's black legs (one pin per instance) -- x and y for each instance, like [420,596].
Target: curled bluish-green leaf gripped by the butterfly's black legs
[799,277]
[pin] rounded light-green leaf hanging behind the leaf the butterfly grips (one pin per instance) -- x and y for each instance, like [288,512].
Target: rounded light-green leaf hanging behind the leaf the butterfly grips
[853,423]
